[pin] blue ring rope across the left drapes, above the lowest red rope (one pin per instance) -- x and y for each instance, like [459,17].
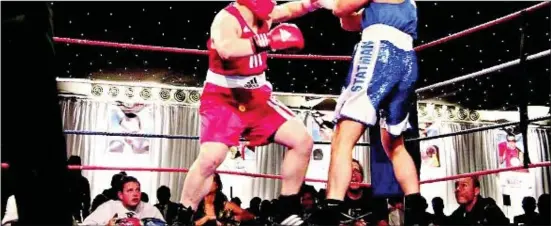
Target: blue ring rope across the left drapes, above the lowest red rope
[111,134]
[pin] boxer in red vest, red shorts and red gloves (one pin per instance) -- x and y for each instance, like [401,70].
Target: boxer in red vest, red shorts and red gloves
[237,99]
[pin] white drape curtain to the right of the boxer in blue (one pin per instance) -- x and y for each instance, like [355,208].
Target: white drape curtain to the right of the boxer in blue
[478,151]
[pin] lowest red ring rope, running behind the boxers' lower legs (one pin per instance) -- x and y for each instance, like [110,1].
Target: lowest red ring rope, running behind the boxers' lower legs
[279,177]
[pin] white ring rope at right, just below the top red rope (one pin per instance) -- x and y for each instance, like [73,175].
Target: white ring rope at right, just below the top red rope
[483,72]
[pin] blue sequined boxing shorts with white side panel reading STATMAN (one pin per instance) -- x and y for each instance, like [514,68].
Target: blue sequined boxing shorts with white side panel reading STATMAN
[381,78]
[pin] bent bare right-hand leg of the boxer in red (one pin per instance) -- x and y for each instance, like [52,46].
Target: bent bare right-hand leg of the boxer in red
[293,134]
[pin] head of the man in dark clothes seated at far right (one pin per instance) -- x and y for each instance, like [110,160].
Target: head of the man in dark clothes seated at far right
[467,190]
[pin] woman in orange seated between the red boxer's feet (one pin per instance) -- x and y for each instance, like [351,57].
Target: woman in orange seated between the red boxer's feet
[215,209]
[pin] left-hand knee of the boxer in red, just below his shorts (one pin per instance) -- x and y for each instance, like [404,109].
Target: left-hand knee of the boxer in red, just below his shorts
[211,156]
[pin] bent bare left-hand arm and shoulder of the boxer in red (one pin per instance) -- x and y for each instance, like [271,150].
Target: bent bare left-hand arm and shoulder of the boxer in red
[225,35]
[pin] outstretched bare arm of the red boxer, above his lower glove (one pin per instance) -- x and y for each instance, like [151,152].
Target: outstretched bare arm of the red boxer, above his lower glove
[292,10]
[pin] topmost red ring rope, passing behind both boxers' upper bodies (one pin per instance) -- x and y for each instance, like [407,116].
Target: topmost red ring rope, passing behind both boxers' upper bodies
[296,56]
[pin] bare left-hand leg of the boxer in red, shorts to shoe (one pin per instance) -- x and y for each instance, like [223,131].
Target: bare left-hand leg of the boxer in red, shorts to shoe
[199,178]
